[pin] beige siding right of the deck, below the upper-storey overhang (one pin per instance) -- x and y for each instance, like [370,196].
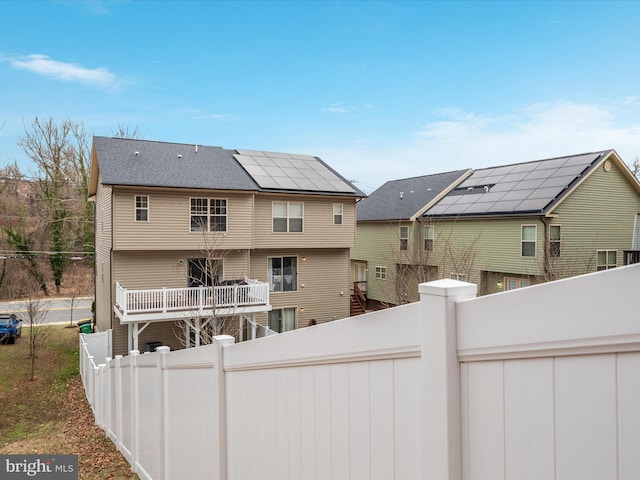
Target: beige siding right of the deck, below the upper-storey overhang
[325,276]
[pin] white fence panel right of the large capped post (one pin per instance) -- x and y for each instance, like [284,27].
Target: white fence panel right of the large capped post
[552,393]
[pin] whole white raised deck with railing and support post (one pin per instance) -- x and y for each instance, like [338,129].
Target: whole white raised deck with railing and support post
[139,308]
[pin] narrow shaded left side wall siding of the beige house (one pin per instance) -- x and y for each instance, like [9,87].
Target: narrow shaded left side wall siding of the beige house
[104,304]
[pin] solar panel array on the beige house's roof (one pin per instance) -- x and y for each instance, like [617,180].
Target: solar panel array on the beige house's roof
[290,172]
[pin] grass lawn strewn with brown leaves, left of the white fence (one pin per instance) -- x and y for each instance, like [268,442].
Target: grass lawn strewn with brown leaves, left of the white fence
[50,415]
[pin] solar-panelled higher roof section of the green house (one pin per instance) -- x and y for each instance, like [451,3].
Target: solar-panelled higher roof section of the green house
[531,188]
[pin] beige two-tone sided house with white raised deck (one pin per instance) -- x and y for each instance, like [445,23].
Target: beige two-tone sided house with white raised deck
[194,240]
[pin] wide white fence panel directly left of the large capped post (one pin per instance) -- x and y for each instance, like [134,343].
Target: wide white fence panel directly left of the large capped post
[299,404]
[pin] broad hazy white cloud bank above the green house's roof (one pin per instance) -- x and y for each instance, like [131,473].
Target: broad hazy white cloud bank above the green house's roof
[456,139]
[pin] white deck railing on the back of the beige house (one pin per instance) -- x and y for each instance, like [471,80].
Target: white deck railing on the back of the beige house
[251,292]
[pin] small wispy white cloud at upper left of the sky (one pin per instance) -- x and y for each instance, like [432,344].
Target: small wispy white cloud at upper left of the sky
[66,72]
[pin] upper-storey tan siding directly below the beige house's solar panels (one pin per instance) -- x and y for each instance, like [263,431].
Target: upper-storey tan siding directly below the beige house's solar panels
[318,228]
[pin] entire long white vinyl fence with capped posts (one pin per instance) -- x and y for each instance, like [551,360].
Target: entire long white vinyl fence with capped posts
[542,382]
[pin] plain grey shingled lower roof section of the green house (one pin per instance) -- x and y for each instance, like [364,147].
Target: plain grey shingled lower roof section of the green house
[406,198]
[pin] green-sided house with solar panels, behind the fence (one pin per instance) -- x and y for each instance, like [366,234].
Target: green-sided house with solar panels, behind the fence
[501,227]
